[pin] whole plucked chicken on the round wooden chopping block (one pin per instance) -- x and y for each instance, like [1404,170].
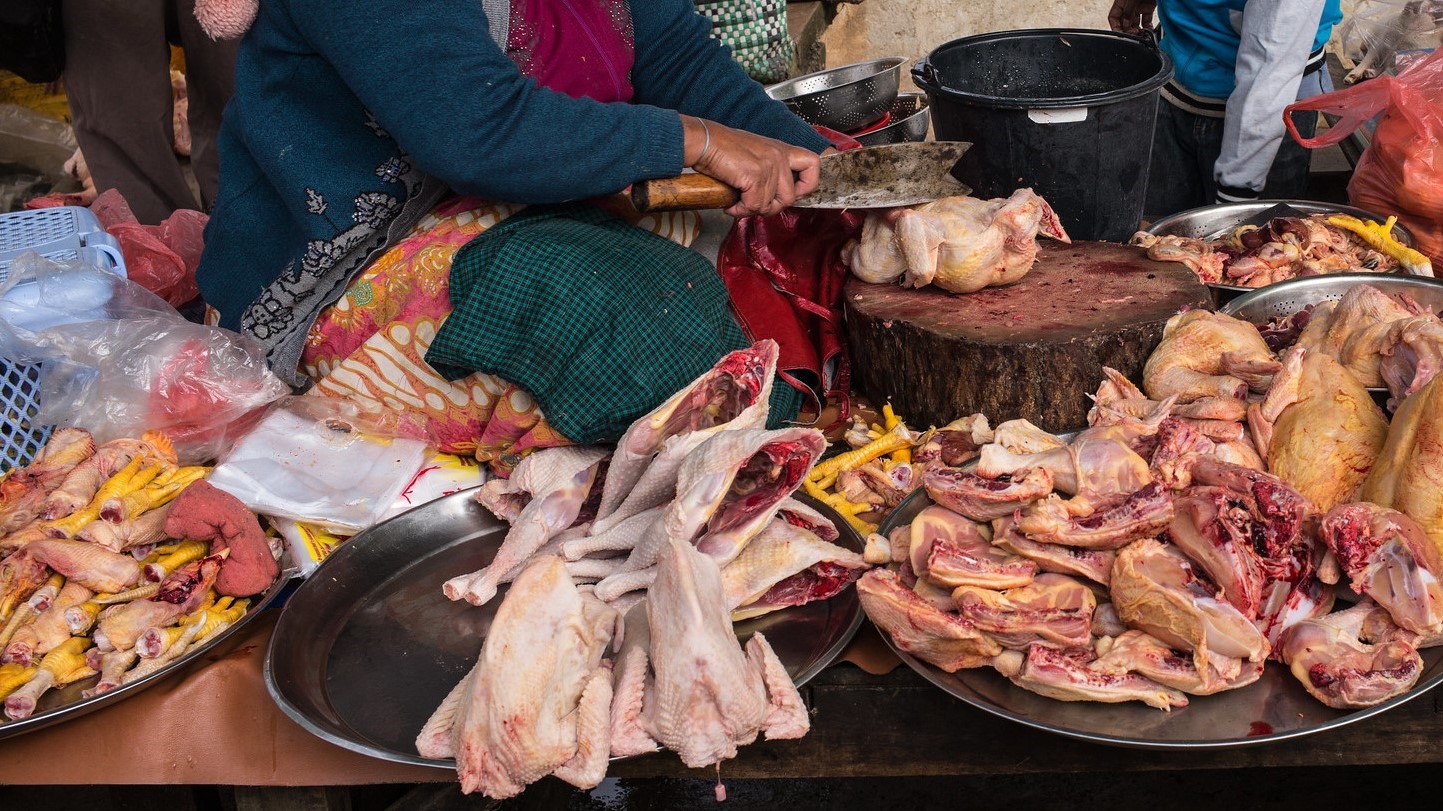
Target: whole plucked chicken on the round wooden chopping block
[960,245]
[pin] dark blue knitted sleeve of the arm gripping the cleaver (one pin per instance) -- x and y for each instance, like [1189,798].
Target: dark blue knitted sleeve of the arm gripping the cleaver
[435,80]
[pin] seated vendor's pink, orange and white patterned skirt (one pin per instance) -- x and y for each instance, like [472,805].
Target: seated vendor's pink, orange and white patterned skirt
[370,347]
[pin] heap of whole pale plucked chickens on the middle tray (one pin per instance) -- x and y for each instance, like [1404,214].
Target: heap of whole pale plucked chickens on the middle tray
[628,569]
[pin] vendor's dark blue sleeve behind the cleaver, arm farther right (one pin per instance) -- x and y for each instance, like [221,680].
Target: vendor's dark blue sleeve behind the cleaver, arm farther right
[682,69]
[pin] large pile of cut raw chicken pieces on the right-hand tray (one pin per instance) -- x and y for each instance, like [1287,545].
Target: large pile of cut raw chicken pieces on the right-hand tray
[1196,530]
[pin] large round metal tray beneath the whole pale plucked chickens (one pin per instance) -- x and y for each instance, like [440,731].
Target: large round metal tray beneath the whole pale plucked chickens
[369,646]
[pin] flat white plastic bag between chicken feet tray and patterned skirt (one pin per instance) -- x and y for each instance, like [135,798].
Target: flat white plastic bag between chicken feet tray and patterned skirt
[321,461]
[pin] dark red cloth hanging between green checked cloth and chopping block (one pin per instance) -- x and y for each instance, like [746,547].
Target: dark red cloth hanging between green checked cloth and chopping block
[786,278]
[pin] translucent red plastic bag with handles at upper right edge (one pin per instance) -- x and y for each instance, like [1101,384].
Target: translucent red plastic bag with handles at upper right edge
[1402,171]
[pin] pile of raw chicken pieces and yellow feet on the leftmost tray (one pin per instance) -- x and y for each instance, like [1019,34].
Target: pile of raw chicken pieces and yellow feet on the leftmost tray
[118,562]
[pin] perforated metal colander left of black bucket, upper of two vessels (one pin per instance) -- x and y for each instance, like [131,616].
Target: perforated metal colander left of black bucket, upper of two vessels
[843,99]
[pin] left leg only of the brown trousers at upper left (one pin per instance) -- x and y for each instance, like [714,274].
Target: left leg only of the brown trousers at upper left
[119,87]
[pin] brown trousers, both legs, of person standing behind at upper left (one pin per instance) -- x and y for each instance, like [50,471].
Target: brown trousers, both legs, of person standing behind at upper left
[118,79]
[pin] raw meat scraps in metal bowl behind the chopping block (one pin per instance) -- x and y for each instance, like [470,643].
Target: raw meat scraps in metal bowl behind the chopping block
[1255,256]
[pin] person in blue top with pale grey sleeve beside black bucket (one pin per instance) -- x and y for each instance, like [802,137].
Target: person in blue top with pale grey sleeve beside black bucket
[1220,136]
